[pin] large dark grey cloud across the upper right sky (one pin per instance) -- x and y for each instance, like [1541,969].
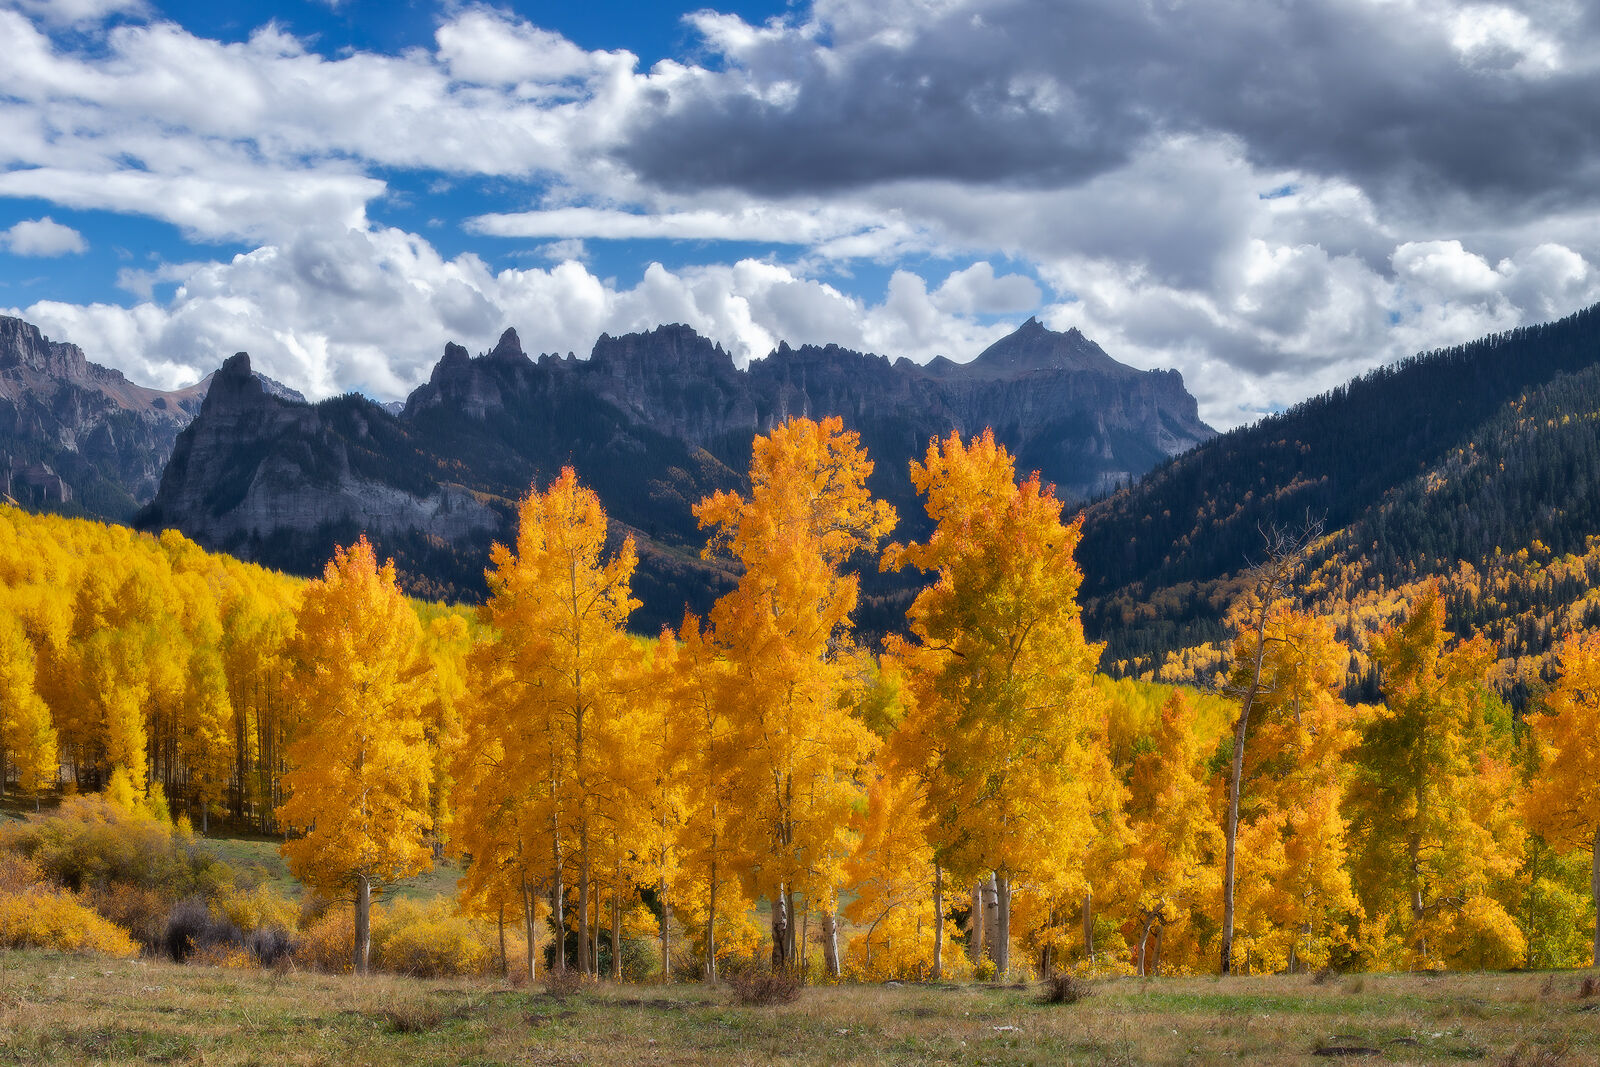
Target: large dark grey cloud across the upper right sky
[1418,102]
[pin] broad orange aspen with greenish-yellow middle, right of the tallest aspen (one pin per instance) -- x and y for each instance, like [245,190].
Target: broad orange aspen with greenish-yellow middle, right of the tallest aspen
[999,677]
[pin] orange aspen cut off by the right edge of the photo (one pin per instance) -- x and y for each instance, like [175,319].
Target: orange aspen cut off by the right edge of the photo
[1562,801]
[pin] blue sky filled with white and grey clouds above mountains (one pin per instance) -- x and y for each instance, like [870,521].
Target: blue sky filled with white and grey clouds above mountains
[1270,198]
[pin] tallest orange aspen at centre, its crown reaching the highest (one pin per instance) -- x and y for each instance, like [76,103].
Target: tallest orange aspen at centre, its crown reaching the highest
[785,633]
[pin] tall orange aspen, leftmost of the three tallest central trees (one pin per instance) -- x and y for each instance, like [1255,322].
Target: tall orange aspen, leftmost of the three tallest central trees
[559,673]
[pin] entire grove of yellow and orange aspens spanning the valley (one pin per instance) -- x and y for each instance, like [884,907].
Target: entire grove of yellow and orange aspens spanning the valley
[966,799]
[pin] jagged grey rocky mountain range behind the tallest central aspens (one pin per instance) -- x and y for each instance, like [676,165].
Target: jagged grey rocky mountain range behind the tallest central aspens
[654,423]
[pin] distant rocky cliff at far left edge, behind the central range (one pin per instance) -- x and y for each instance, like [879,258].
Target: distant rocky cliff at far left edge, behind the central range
[74,434]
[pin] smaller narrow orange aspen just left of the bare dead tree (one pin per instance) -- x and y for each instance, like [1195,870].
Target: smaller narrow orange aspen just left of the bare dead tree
[1177,836]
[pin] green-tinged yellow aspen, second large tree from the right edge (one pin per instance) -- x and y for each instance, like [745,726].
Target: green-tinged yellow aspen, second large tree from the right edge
[1430,799]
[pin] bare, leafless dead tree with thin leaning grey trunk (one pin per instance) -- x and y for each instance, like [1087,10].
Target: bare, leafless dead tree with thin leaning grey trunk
[1271,581]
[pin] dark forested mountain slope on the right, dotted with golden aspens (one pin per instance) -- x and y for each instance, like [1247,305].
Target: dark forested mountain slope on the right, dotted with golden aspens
[1478,468]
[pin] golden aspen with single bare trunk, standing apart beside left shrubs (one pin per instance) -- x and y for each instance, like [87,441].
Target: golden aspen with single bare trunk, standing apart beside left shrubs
[358,805]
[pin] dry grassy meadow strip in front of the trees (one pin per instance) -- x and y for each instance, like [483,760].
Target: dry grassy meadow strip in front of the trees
[84,1010]
